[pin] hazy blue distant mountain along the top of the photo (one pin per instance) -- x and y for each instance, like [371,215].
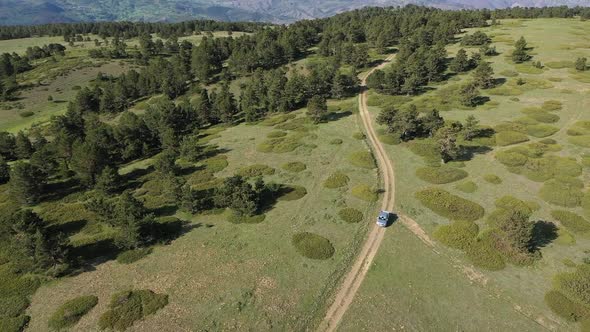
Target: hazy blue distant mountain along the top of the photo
[52,11]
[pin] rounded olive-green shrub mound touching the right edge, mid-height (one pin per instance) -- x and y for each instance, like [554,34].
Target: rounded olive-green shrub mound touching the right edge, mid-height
[564,191]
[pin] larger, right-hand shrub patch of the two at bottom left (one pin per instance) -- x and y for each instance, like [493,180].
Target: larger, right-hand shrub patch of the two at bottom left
[130,306]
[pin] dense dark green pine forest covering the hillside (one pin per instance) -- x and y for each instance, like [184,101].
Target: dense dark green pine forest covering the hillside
[79,150]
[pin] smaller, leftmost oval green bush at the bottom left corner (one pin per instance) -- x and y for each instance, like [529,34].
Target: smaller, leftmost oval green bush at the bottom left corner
[68,314]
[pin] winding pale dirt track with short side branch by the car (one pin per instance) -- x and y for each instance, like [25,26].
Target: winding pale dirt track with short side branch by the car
[357,273]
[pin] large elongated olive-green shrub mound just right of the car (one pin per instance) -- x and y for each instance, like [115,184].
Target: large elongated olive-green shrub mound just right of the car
[450,206]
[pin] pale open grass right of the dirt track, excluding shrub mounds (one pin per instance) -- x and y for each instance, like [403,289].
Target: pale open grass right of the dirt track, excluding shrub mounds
[412,288]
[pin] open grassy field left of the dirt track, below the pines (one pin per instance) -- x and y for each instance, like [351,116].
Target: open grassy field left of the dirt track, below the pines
[223,276]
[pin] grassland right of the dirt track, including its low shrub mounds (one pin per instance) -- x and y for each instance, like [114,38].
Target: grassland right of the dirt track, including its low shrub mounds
[536,156]
